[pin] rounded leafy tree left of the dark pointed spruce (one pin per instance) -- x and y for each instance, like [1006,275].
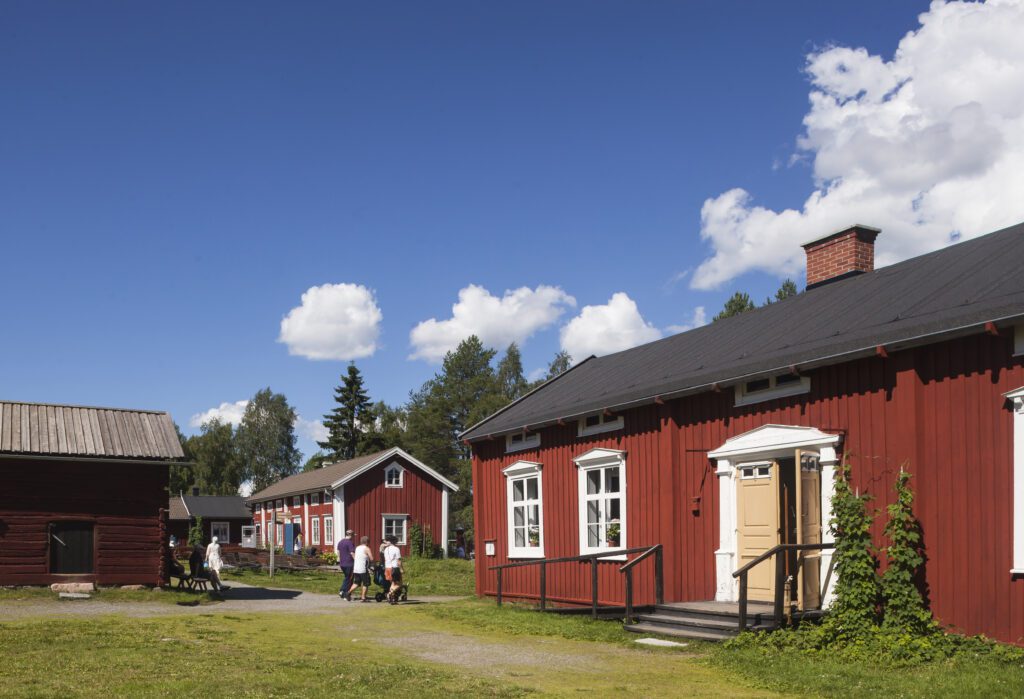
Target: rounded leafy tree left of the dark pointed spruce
[267,440]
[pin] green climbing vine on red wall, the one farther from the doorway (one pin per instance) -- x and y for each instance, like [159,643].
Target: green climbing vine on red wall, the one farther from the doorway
[905,608]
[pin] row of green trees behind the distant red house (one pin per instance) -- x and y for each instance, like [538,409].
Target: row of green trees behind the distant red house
[473,384]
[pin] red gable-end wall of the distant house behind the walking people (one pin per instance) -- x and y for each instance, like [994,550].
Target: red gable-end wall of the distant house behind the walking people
[367,499]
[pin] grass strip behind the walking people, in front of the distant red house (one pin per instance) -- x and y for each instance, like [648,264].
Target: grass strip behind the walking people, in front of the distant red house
[425,577]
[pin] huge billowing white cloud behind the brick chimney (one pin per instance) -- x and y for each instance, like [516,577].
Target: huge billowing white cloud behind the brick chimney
[929,147]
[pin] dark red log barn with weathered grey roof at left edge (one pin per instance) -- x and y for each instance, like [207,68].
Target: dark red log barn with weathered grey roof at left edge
[84,494]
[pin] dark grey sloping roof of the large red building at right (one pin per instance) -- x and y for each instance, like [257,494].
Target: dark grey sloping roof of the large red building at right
[957,288]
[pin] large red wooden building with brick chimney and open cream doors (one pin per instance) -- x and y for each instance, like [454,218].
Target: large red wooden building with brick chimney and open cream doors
[722,443]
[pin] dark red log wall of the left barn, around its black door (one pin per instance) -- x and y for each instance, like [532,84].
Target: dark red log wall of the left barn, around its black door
[124,502]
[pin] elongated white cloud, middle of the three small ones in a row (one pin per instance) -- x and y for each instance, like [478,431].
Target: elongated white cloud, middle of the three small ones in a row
[497,322]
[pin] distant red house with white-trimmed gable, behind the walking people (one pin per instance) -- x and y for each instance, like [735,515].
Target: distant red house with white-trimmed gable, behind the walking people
[377,495]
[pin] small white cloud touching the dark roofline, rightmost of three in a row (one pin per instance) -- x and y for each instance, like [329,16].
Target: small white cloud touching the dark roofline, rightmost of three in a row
[604,330]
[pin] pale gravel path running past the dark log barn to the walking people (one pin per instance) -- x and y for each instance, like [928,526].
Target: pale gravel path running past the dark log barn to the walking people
[240,598]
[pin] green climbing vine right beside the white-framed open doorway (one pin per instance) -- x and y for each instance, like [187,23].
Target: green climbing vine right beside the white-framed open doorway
[855,613]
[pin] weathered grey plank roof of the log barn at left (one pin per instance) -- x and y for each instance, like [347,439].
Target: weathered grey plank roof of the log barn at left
[45,429]
